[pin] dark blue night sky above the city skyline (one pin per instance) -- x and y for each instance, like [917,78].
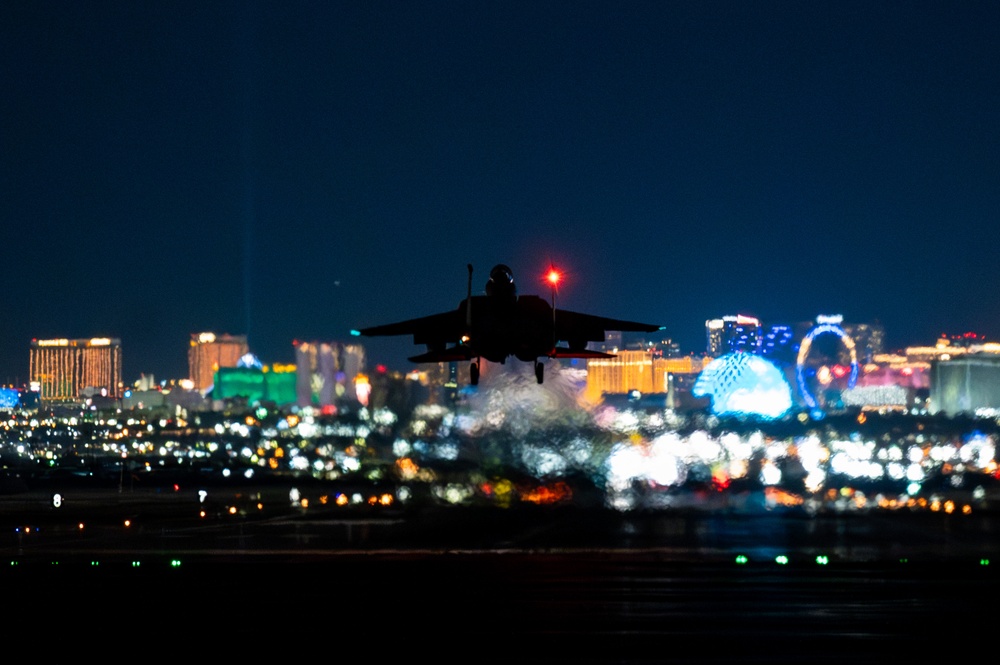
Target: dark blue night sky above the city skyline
[292,170]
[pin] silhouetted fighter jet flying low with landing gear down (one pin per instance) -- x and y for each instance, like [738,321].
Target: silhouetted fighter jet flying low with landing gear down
[501,324]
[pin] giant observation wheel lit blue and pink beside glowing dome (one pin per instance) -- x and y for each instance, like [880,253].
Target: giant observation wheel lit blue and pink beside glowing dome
[817,372]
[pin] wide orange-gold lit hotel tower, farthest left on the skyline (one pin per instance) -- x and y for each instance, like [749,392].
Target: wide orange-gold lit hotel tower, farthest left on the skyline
[64,368]
